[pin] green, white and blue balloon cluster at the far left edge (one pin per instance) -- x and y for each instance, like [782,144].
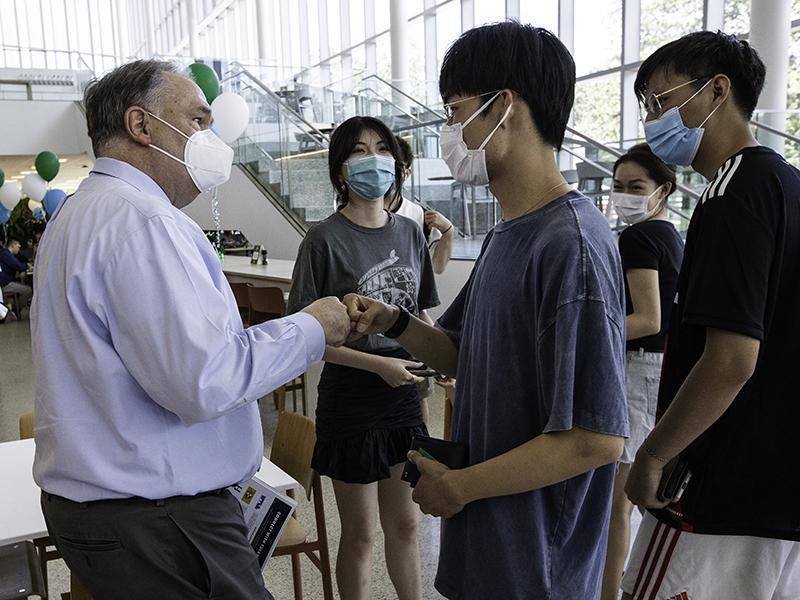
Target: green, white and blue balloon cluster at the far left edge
[34,185]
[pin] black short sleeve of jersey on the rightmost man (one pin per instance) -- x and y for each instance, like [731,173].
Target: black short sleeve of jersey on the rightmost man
[731,261]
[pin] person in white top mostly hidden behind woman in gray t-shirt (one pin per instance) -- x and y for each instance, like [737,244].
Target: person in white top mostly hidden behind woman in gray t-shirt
[437,229]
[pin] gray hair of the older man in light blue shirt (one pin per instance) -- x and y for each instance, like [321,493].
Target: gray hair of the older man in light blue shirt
[137,83]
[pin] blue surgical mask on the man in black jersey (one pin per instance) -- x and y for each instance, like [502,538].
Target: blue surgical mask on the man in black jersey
[671,140]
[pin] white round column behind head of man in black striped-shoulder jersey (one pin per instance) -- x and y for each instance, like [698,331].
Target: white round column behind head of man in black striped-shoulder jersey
[770,24]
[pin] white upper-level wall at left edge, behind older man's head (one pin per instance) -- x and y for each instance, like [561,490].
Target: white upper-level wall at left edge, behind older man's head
[30,126]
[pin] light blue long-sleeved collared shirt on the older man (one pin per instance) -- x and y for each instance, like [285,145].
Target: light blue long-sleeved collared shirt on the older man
[145,376]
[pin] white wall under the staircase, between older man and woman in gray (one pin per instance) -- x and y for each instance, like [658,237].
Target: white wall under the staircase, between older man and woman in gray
[243,206]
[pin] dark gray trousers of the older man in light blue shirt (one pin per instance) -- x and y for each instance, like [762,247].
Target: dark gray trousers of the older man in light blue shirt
[182,548]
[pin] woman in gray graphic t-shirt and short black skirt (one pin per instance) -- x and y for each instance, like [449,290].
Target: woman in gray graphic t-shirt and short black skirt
[368,406]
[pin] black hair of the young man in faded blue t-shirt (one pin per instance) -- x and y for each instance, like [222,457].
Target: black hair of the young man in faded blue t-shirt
[529,60]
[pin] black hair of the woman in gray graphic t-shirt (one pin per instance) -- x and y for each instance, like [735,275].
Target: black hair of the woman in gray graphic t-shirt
[344,140]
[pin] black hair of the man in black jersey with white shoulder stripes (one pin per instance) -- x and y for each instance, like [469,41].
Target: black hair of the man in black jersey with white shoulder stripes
[704,54]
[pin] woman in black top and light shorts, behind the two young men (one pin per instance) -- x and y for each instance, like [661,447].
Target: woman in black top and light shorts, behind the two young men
[651,251]
